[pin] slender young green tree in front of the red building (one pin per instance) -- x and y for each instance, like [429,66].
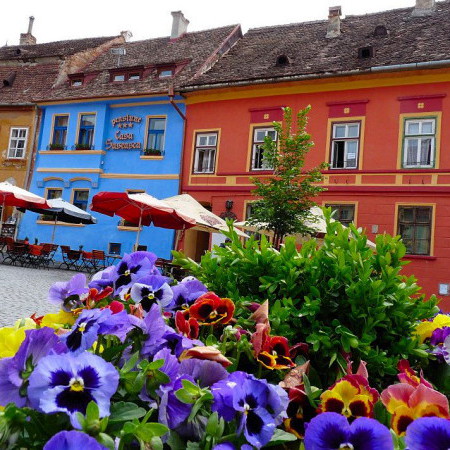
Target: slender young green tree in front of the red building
[284,200]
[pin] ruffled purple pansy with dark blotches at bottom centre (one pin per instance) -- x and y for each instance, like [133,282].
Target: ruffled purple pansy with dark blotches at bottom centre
[258,405]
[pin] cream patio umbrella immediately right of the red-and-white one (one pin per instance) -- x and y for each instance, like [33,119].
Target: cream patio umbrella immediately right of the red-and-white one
[205,220]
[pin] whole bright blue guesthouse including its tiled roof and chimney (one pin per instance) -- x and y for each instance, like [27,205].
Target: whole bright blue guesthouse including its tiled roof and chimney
[118,126]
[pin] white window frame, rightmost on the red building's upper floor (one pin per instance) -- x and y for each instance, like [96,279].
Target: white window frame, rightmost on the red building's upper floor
[419,138]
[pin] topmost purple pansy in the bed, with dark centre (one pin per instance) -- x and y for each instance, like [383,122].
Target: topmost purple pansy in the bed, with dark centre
[132,267]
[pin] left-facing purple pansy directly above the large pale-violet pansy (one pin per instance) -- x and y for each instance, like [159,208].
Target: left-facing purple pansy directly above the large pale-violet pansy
[93,322]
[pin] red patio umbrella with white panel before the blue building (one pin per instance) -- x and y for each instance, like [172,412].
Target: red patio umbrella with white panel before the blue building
[141,209]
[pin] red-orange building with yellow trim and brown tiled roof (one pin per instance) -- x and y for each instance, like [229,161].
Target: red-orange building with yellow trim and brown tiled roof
[378,86]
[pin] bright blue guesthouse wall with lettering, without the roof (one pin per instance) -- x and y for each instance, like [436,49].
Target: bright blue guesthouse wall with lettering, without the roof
[110,145]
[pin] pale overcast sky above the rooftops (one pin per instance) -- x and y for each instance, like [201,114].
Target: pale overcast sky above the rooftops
[62,19]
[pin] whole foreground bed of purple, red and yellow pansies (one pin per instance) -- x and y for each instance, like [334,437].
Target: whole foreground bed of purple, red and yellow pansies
[135,360]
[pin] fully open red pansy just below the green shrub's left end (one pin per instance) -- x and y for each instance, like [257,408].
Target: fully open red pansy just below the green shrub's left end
[209,309]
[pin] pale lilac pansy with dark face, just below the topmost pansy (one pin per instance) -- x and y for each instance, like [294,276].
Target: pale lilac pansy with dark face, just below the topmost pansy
[150,290]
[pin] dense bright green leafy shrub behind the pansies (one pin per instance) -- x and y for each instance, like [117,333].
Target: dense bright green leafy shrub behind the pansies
[340,298]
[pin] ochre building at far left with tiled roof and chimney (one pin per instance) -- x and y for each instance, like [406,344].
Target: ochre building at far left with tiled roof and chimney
[27,71]
